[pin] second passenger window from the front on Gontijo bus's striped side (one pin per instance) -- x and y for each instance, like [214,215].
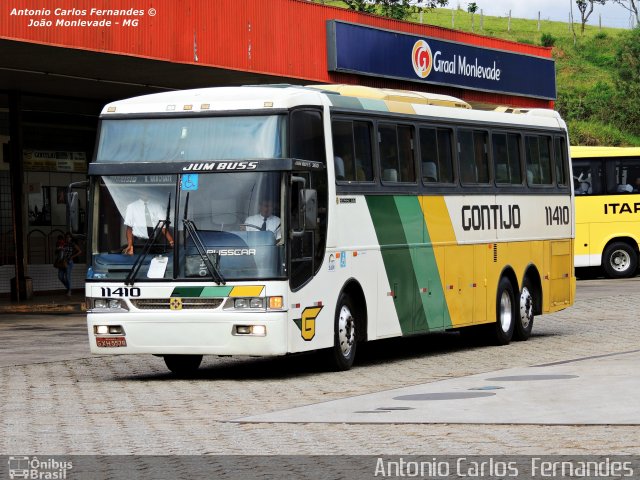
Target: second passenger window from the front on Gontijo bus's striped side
[397,162]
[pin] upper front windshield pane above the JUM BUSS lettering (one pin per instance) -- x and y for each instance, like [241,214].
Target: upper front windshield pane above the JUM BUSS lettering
[193,138]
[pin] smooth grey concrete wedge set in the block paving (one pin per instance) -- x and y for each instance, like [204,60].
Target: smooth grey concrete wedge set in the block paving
[541,395]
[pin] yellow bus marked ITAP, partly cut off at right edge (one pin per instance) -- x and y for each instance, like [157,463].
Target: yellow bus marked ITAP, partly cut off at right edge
[607,189]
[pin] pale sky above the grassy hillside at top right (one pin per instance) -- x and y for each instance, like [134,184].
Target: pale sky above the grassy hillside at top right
[612,15]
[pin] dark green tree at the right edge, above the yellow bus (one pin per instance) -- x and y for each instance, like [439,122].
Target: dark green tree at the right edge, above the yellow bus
[628,82]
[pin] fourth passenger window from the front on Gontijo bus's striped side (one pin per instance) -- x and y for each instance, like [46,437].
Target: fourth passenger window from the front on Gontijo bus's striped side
[473,156]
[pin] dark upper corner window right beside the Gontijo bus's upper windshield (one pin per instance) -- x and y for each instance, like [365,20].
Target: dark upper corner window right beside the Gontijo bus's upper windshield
[306,133]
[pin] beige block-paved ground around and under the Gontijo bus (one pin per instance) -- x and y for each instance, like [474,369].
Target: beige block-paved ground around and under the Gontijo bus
[56,400]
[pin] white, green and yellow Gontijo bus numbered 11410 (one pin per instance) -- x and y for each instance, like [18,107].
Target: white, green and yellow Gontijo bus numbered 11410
[382,214]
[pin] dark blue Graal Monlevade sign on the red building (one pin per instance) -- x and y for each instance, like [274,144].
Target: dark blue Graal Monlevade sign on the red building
[382,53]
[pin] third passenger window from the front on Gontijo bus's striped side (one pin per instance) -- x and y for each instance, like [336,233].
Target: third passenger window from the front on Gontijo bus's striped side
[436,157]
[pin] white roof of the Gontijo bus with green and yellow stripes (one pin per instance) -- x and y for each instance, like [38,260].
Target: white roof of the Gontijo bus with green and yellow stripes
[346,97]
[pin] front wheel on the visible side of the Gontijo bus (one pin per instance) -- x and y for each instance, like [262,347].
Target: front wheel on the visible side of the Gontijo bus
[345,341]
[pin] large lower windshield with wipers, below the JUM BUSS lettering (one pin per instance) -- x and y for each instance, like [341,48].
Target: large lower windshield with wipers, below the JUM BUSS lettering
[232,222]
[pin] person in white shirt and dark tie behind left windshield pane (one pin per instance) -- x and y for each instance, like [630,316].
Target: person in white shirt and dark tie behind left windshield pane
[140,218]
